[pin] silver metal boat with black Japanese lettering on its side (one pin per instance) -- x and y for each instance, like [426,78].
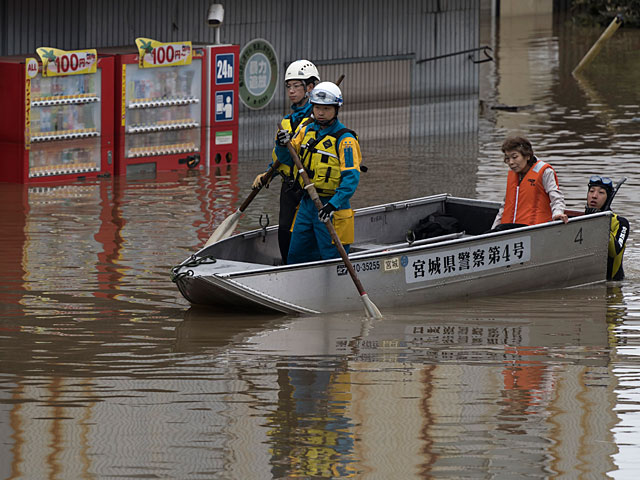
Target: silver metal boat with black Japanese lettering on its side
[547,256]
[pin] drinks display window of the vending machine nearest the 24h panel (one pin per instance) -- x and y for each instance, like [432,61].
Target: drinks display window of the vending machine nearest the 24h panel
[163,110]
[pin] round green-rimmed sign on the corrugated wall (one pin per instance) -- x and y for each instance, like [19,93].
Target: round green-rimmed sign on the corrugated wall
[258,73]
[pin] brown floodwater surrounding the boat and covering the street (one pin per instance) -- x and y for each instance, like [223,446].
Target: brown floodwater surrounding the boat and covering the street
[107,372]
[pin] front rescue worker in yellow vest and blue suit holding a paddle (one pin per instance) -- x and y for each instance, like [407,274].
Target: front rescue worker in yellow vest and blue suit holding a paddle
[330,153]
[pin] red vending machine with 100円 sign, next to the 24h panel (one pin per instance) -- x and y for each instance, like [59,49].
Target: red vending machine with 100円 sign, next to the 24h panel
[159,108]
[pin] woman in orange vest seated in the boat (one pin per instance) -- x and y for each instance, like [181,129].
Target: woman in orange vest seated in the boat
[532,195]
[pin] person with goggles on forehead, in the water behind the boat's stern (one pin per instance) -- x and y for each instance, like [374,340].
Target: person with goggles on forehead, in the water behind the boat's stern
[599,198]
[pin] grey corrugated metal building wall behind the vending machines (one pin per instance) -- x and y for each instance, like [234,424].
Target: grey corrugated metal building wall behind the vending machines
[410,65]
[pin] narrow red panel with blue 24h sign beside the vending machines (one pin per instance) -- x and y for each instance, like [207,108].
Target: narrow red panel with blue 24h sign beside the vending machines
[222,97]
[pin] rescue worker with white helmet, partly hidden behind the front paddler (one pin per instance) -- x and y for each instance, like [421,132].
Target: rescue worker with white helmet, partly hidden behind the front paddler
[300,78]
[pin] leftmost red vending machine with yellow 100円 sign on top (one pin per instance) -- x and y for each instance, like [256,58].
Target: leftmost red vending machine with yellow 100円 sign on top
[57,123]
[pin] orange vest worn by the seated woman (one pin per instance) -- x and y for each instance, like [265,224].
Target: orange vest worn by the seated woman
[526,201]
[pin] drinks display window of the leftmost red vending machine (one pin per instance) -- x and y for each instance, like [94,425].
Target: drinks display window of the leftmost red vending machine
[65,125]
